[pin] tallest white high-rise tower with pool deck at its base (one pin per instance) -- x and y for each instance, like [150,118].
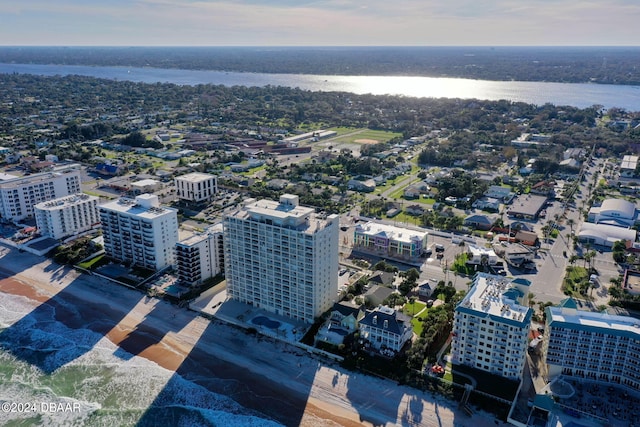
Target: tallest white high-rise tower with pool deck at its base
[282,257]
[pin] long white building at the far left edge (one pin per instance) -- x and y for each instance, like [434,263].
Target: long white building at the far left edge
[19,194]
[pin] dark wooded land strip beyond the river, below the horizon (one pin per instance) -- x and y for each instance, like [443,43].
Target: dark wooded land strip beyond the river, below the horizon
[615,65]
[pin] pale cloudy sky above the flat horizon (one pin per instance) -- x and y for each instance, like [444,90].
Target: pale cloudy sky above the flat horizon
[320,23]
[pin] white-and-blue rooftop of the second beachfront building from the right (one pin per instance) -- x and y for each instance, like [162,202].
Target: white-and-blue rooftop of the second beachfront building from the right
[496,297]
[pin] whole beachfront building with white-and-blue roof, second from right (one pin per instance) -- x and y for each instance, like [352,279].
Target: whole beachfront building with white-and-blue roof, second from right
[491,326]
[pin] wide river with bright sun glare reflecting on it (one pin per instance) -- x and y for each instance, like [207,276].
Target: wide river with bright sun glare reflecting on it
[581,95]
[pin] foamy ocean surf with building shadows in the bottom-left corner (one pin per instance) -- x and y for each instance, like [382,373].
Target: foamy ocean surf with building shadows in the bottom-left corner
[62,377]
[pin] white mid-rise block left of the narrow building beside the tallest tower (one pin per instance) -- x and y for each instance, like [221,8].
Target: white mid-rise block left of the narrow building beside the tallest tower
[139,231]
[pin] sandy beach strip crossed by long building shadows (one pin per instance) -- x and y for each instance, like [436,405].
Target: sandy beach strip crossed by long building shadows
[280,381]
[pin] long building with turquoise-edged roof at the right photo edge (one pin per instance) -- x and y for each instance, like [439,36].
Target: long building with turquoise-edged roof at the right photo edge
[592,345]
